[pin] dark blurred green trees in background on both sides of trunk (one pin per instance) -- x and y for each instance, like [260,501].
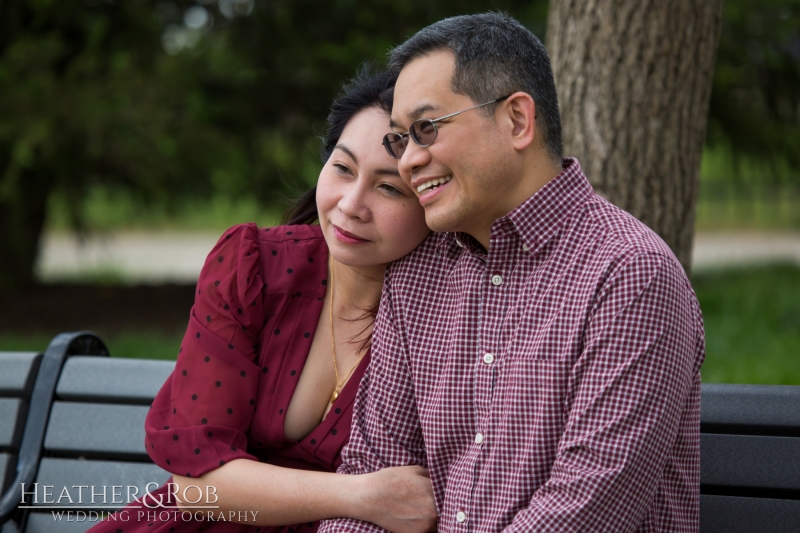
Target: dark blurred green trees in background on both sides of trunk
[165,100]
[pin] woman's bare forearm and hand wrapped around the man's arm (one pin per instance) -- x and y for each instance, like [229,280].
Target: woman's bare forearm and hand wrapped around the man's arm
[398,499]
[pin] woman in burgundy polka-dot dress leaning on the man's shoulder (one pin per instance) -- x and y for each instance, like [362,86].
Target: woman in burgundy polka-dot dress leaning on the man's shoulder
[260,402]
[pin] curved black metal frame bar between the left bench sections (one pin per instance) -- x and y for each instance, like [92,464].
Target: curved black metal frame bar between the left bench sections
[61,347]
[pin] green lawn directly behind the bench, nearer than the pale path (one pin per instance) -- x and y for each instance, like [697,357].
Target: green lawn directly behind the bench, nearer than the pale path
[752,322]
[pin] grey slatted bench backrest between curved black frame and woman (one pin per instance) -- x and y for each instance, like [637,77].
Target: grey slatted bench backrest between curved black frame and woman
[95,438]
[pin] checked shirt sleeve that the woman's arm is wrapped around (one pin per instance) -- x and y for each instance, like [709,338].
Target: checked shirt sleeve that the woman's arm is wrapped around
[385,431]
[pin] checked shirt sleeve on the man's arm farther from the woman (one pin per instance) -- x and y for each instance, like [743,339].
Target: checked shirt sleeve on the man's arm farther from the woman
[634,377]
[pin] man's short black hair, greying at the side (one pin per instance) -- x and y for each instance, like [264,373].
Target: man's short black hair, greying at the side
[495,56]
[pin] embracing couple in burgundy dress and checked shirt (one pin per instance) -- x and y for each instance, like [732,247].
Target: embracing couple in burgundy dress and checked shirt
[470,339]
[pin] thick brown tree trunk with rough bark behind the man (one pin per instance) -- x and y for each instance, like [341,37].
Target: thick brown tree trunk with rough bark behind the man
[634,82]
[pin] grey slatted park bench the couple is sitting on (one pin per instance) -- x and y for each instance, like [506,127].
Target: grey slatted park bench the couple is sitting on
[91,433]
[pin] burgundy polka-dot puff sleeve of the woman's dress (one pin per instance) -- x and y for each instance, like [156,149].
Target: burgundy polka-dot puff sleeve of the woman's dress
[200,417]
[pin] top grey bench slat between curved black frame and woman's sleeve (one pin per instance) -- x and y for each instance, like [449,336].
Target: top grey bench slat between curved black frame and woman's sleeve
[110,380]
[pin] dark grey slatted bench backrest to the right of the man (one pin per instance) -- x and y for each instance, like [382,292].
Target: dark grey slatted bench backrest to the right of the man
[750,458]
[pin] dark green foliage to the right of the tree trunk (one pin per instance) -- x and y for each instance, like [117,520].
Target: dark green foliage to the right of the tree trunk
[755,100]
